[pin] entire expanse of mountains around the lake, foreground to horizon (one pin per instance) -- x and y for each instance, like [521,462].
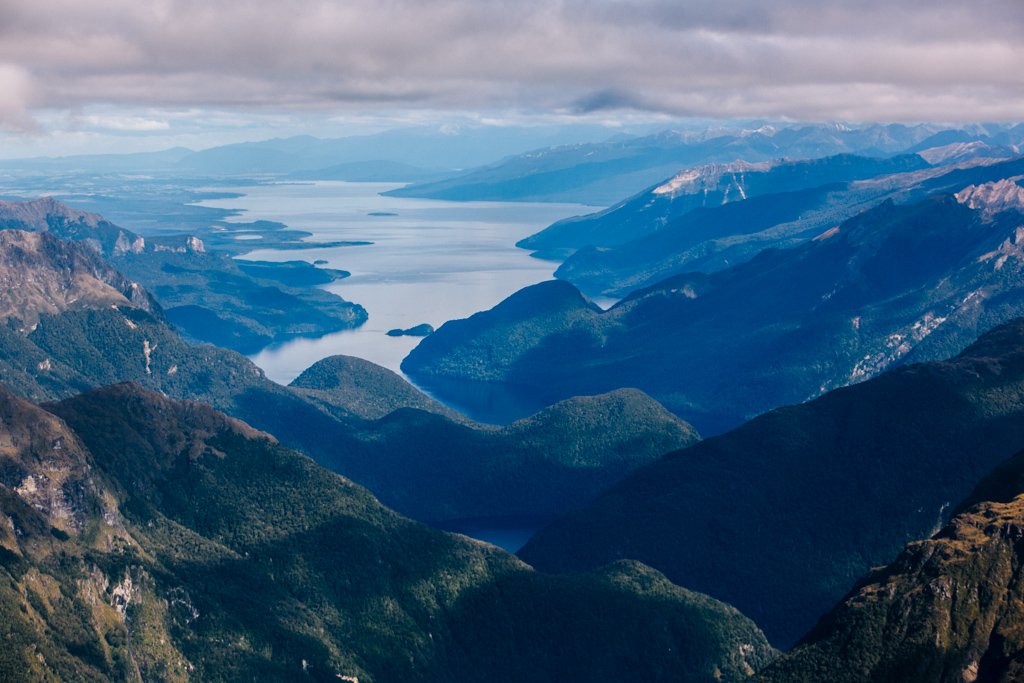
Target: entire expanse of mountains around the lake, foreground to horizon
[169,514]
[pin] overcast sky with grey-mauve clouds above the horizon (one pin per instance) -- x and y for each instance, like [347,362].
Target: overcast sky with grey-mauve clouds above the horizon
[122,75]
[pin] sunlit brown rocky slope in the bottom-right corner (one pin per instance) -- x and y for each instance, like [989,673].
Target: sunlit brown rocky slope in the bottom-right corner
[948,610]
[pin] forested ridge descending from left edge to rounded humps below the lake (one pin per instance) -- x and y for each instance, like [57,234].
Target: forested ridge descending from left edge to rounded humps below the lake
[434,467]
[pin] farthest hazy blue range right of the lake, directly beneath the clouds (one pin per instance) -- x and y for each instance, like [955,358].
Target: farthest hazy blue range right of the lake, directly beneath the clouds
[603,174]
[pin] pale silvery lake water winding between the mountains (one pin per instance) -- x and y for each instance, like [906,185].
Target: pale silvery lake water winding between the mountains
[432,263]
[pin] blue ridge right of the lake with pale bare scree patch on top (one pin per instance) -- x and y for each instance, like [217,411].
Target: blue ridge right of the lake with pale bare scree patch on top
[709,219]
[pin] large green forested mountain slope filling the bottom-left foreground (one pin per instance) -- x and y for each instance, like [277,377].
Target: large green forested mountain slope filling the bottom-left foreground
[145,539]
